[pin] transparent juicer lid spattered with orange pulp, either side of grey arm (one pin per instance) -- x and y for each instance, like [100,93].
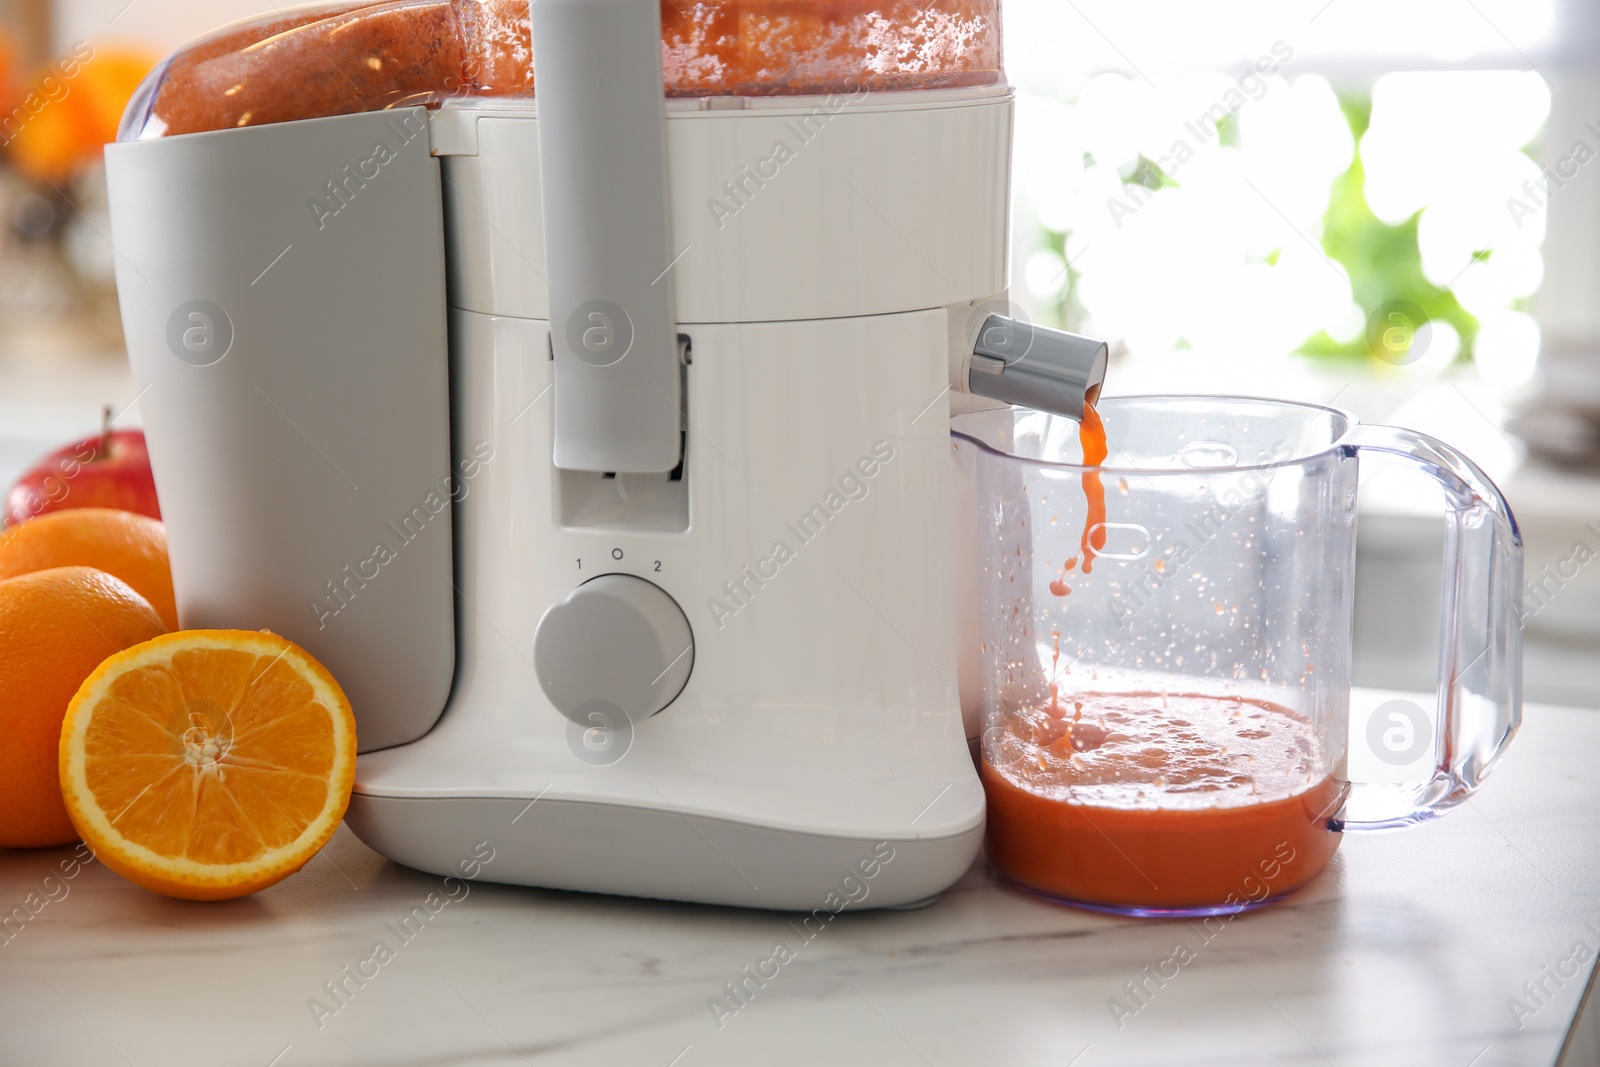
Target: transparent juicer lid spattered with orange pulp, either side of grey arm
[343,58]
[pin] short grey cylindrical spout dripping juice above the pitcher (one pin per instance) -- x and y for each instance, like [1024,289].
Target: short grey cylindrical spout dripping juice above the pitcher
[1034,367]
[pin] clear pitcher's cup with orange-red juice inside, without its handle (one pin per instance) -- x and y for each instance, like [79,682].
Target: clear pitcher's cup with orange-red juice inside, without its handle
[1159,735]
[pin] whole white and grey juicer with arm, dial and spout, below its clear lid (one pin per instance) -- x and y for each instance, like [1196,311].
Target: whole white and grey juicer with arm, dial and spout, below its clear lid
[599,446]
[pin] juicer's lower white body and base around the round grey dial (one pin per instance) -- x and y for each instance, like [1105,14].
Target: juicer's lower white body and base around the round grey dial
[822,714]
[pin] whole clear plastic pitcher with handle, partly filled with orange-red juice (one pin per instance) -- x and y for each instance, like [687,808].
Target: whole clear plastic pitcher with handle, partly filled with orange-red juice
[1167,681]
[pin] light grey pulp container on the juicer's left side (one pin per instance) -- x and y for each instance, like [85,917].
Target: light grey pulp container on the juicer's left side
[284,303]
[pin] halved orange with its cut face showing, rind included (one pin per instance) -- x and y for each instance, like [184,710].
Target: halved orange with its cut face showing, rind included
[209,764]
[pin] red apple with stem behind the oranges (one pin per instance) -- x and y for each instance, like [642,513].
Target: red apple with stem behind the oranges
[111,470]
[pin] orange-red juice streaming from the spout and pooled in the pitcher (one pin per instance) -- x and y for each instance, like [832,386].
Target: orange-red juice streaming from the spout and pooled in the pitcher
[1154,802]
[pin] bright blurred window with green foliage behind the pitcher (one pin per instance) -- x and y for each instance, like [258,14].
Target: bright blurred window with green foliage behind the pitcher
[1358,183]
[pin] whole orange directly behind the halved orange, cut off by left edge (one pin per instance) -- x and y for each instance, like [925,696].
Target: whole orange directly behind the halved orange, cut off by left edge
[55,628]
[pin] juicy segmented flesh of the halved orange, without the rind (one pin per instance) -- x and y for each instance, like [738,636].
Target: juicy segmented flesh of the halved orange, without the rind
[218,757]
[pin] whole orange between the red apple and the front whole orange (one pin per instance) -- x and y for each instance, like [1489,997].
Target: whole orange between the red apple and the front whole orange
[130,546]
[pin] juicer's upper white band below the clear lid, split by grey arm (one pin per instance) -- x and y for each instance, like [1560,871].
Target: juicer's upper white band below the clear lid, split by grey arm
[884,202]
